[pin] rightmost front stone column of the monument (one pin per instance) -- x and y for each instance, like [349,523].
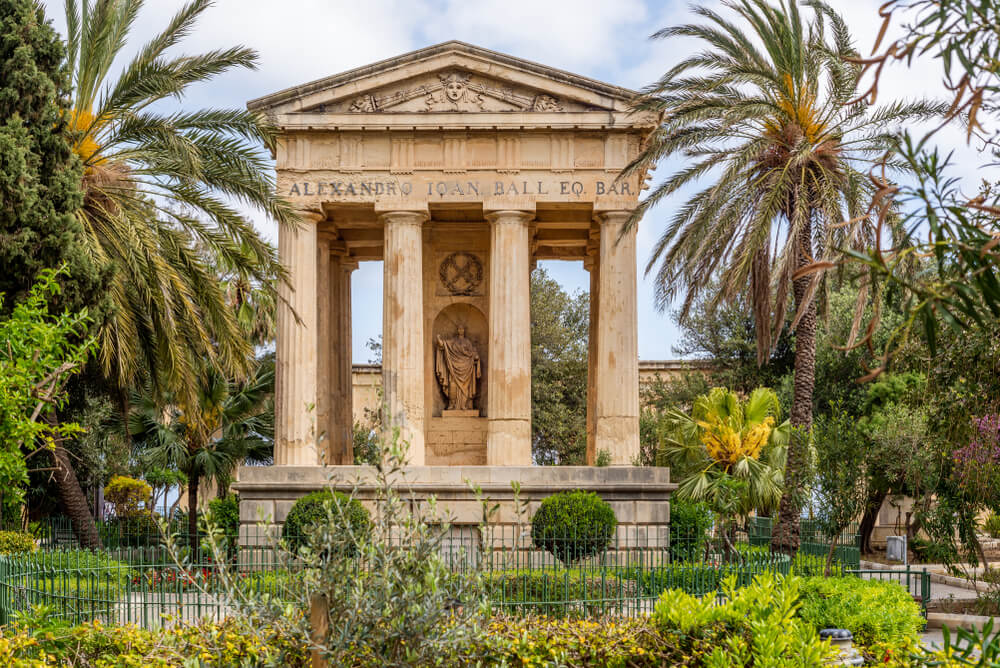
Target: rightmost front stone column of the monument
[617,350]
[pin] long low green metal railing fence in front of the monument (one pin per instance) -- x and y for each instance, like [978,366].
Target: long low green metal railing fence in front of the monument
[144,585]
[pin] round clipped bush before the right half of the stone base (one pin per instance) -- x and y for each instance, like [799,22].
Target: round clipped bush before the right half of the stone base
[573,525]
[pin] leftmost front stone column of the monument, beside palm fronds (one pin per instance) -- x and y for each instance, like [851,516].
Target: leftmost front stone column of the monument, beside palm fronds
[297,345]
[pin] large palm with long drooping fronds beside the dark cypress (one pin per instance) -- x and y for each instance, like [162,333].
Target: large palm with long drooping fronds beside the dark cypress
[161,191]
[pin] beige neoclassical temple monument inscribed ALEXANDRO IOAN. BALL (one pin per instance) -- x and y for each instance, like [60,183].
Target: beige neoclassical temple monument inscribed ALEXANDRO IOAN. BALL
[458,168]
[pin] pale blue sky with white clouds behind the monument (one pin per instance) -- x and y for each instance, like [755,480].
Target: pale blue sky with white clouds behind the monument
[302,40]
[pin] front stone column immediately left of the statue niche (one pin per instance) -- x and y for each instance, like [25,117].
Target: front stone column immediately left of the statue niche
[403,327]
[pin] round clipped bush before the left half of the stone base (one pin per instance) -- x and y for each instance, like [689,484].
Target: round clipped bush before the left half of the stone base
[338,511]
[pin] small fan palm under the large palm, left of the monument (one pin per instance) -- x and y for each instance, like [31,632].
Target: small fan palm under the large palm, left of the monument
[232,424]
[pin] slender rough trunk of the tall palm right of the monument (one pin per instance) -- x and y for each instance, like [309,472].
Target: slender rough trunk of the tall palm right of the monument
[786,534]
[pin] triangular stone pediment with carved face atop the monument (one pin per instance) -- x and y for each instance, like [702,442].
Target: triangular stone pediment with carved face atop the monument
[449,77]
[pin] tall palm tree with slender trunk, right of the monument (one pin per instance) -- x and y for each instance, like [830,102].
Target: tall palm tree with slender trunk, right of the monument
[765,117]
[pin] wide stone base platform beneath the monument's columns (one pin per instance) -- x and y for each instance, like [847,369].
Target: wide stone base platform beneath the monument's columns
[640,496]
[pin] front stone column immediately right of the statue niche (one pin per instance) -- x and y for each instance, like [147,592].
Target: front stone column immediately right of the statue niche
[508,435]
